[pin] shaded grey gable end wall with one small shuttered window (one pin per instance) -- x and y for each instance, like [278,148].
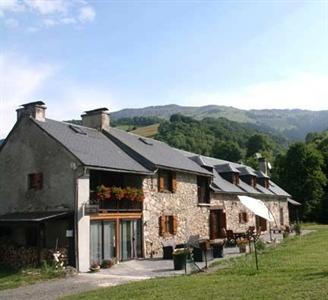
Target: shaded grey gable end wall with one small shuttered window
[30,150]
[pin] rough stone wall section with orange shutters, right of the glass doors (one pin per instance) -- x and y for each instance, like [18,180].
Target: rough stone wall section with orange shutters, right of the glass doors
[192,218]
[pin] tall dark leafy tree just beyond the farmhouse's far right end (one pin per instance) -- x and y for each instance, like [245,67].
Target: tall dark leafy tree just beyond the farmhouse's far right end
[299,171]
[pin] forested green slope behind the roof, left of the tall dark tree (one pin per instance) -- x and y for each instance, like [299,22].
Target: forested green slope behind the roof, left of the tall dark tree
[220,138]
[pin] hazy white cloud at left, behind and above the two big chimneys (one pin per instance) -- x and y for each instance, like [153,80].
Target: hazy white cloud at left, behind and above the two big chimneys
[25,81]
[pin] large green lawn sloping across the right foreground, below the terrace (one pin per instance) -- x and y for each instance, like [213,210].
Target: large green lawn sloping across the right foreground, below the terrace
[296,269]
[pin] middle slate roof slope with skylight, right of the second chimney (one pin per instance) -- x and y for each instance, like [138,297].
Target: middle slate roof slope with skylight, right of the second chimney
[157,153]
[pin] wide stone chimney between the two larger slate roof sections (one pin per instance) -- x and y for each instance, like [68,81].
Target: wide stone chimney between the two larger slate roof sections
[97,118]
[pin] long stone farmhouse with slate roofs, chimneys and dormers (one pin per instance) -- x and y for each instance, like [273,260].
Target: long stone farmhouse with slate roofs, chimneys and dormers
[102,193]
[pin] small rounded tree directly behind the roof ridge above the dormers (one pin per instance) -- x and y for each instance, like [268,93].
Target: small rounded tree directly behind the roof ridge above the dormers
[227,150]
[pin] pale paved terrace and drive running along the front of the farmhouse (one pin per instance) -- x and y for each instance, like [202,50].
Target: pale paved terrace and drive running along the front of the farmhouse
[121,273]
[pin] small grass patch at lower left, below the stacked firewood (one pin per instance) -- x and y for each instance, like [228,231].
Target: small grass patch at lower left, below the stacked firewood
[11,279]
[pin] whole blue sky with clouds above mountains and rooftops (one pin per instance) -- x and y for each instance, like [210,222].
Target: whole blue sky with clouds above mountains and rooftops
[77,55]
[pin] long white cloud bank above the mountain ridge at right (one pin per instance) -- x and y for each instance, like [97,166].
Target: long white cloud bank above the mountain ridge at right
[305,91]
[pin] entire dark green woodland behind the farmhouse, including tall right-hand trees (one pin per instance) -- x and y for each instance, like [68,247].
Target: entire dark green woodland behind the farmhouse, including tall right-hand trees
[300,168]
